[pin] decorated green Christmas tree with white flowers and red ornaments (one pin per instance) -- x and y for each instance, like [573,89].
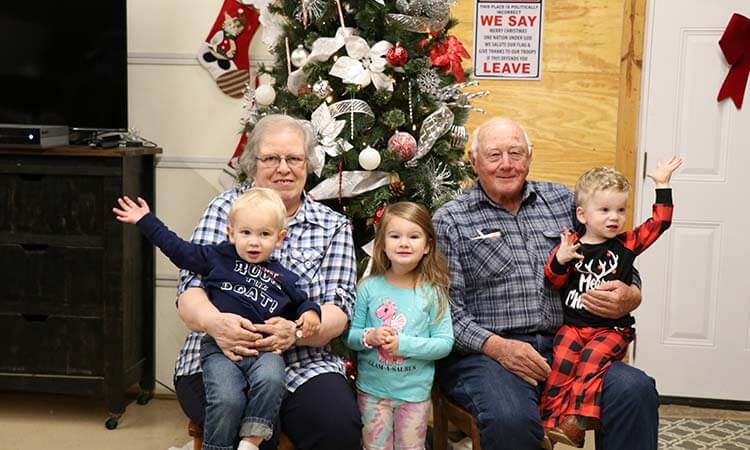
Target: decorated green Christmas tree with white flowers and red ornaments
[382,85]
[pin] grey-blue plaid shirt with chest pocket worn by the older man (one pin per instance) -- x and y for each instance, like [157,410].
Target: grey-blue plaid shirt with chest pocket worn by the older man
[497,282]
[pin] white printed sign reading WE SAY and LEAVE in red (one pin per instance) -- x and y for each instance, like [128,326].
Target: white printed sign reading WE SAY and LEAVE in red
[508,39]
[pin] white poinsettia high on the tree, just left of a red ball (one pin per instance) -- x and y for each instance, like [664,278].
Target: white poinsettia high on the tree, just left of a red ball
[364,65]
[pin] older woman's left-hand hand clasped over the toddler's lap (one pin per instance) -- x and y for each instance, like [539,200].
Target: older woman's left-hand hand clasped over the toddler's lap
[234,335]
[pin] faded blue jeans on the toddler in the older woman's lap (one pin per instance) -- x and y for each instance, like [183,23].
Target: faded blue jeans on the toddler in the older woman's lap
[243,397]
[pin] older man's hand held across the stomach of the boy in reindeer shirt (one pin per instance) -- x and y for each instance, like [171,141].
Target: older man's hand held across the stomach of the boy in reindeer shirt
[612,299]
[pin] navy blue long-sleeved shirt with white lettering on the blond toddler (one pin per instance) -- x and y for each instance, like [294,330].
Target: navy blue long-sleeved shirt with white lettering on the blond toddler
[253,291]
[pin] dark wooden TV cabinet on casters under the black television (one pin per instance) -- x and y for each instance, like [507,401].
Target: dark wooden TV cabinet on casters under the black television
[77,297]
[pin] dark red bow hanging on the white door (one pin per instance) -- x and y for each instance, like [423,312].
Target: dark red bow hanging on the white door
[735,43]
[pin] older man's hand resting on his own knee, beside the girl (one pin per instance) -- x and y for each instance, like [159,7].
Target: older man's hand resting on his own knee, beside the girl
[518,357]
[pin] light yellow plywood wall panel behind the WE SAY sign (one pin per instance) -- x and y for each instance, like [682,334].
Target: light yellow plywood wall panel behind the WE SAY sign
[571,113]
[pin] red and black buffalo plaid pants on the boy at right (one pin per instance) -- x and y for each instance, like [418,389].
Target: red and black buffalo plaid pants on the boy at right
[581,356]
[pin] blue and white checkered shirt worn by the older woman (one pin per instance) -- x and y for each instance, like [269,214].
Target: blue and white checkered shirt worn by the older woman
[318,247]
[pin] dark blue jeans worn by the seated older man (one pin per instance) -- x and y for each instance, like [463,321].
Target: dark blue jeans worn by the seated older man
[507,408]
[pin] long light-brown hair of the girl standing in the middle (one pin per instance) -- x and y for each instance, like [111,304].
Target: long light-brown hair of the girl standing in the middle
[432,268]
